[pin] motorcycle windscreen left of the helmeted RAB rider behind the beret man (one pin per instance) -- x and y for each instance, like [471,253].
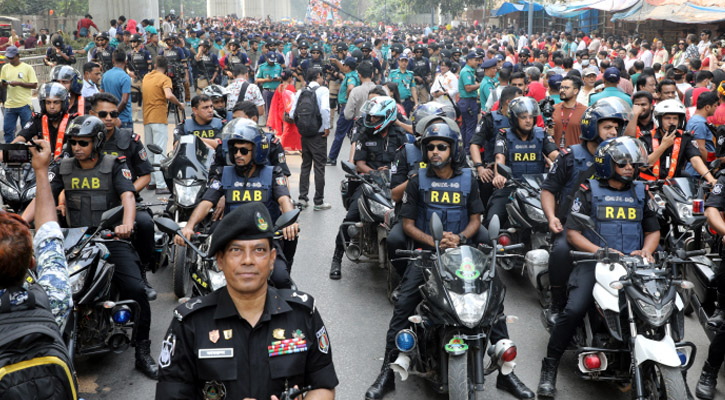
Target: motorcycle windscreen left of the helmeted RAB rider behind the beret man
[191,159]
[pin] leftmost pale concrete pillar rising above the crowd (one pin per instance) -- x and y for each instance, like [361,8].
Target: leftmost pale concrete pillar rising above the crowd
[104,11]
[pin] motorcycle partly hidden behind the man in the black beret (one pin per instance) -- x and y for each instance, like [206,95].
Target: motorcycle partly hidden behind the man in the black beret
[204,274]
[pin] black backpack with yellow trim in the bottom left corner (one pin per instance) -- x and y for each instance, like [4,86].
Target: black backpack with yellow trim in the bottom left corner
[34,359]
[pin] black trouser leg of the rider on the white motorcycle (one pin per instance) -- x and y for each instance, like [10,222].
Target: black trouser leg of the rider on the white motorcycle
[581,284]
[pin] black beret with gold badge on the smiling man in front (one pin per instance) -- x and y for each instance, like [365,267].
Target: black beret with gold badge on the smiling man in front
[249,221]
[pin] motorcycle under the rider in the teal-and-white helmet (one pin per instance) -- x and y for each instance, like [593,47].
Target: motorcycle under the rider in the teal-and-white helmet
[367,242]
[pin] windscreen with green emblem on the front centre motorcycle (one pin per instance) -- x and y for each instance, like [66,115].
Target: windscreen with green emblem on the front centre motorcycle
[465,270]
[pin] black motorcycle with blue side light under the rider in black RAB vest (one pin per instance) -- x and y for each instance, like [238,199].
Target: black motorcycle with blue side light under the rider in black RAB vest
[99,322]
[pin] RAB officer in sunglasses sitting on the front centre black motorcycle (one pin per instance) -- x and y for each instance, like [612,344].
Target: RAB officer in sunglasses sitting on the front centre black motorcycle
[460,211]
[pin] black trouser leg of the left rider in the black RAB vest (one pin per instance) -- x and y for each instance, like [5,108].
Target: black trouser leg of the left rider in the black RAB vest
[127,280]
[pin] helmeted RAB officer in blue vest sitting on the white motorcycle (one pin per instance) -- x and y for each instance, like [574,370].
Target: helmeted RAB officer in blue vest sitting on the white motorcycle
[614,188]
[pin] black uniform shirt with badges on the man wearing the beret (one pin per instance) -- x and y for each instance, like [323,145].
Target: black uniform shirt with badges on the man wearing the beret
[209,345]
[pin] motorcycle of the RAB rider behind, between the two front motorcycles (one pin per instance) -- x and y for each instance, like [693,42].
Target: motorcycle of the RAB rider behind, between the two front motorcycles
[527,225]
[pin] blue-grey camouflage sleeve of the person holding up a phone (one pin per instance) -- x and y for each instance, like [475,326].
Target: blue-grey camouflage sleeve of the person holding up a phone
[52,272]
